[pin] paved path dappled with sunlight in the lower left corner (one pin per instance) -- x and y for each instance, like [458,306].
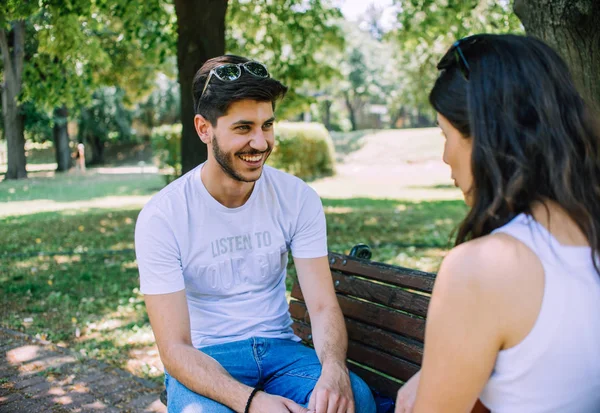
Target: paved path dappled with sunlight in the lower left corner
[36,376]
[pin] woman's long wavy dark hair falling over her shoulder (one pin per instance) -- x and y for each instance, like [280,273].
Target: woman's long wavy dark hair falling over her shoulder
[534,137]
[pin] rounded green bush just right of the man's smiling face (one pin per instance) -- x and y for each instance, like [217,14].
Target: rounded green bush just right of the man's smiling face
[303,149]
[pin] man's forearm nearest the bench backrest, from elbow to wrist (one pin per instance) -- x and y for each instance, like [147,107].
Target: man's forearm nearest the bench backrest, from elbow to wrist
[329,335]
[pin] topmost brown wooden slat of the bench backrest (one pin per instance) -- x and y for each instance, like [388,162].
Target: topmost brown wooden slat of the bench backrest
[399,276]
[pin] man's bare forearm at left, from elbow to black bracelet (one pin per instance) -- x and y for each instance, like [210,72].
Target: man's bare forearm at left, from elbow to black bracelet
[205,376]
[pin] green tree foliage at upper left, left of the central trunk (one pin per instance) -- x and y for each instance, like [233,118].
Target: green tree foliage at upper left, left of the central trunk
[75,46]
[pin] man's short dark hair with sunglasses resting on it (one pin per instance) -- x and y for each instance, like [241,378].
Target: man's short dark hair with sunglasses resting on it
[219,95]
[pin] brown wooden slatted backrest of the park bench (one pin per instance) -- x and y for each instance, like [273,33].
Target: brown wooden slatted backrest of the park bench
[385,308]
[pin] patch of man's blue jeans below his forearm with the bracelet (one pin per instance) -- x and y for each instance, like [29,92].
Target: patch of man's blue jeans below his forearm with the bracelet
[180,399]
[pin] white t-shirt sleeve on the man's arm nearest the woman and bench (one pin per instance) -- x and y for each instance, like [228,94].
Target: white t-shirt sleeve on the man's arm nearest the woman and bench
[310,237]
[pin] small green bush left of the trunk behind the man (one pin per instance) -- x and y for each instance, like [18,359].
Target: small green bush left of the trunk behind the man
[166,147]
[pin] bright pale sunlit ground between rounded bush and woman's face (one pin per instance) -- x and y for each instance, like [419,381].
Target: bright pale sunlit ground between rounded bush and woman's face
[395,164]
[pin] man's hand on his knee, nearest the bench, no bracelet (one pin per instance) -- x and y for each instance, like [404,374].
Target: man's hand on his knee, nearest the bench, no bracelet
[333,391]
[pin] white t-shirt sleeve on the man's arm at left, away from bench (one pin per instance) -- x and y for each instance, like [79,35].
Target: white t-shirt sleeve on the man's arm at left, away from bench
[157,252]
